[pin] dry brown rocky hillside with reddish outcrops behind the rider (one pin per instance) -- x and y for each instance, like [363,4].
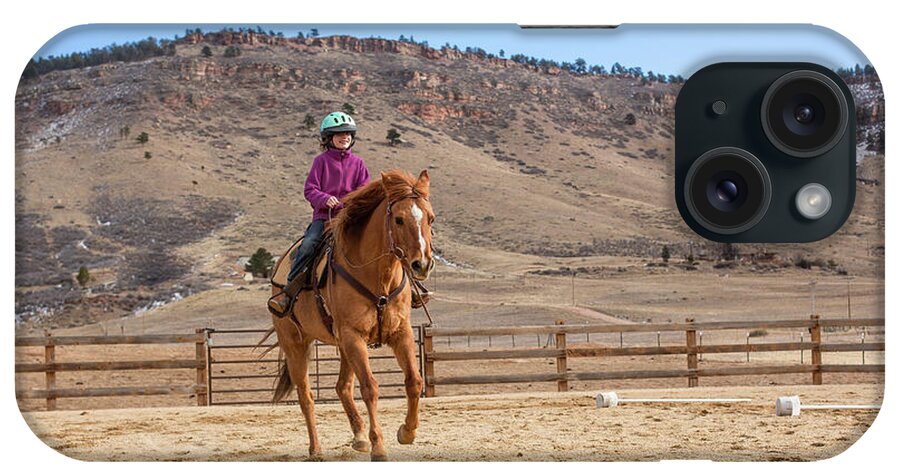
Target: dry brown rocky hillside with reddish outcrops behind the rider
[524,159]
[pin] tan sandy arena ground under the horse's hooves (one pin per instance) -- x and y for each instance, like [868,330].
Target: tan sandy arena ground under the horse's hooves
[510,427]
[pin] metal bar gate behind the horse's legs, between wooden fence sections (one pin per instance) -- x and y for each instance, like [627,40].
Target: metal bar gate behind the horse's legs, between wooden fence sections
[238,373]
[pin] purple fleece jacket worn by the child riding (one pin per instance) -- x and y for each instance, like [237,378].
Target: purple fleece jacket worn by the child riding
[334,173]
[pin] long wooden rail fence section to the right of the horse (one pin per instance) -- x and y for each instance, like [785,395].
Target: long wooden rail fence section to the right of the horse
[692,349]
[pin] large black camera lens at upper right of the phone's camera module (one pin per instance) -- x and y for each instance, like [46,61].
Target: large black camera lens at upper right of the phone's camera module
[804,113]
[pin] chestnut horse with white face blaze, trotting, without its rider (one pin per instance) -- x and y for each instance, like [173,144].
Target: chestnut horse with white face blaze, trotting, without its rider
[381,236]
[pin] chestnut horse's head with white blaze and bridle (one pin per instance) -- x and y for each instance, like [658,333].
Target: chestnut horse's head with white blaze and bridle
[409,221]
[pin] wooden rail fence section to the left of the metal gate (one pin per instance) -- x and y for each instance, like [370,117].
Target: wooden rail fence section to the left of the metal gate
[51,366]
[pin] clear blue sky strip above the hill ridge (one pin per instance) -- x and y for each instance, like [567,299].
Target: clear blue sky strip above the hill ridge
[667,49]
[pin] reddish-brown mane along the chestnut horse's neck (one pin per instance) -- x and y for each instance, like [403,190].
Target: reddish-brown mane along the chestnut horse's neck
[362,202]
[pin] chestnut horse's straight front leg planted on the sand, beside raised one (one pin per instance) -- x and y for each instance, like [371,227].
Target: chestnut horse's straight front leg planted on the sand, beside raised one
[353,349]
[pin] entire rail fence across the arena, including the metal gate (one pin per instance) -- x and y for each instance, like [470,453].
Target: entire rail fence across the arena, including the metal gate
[213,370]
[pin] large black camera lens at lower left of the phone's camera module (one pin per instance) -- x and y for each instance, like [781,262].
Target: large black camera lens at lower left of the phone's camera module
[727,190]
